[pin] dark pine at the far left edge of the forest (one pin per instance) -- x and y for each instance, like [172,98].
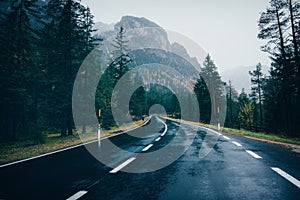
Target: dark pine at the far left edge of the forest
[18,38]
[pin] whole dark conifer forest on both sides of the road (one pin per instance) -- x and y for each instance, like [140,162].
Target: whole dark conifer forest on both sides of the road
[44,44]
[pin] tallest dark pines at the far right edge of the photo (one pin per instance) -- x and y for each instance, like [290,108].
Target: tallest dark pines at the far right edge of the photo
[279,25]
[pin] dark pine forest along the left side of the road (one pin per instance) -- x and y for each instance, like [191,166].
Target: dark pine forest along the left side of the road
[43,47]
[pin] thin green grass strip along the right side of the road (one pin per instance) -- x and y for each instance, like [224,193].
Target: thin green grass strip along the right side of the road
[245,133]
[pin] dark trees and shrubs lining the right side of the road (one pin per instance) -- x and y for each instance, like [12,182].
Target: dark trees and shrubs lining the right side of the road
[274,103]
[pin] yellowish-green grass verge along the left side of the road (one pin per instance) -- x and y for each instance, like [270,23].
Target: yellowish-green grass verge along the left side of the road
[14,151]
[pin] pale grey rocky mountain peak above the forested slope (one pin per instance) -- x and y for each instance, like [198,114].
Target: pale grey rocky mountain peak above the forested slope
[142,32]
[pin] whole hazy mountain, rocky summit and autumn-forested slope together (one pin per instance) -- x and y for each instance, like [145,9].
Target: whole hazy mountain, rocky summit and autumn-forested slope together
[169,63]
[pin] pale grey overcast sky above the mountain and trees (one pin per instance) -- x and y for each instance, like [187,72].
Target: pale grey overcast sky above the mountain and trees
[227,29]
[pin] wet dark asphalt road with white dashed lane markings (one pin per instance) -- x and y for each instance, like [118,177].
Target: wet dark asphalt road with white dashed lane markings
[235,168]
